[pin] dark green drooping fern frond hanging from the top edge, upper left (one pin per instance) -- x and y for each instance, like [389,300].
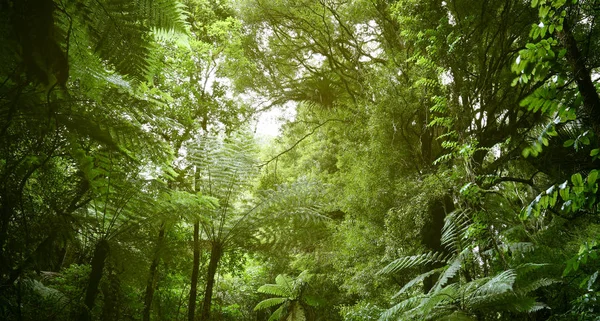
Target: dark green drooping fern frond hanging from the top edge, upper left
[120,32]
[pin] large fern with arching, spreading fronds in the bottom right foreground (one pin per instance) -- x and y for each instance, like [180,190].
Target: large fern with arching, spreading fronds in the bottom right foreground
[453,297]
